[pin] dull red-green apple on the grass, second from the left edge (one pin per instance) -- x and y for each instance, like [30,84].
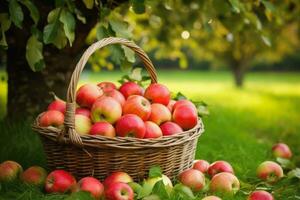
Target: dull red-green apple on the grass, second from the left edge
[34,175]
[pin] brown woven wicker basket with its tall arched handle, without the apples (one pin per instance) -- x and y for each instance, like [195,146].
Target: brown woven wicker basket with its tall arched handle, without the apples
[98,156]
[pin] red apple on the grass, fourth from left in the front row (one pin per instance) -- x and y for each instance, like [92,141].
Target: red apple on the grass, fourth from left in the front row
[91,185]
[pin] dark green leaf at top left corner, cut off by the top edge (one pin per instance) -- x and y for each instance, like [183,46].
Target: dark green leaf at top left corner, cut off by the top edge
[16,13]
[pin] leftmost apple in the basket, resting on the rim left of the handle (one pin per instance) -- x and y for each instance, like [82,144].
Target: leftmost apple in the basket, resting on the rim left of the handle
[51,118]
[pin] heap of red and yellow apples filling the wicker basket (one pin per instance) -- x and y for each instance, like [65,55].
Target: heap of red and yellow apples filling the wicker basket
[127,111]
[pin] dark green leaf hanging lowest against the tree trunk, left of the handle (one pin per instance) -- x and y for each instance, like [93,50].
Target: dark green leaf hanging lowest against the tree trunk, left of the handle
[34,54]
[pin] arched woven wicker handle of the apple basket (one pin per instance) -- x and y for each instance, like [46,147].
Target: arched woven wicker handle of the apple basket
[71,93]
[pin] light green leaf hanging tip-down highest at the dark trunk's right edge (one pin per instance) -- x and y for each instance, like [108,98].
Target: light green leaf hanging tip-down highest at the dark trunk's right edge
[69,23]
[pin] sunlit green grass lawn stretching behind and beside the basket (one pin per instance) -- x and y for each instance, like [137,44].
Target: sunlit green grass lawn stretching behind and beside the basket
[242,126]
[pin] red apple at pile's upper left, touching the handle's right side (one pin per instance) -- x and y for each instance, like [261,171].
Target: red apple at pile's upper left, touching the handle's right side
[87,95]
